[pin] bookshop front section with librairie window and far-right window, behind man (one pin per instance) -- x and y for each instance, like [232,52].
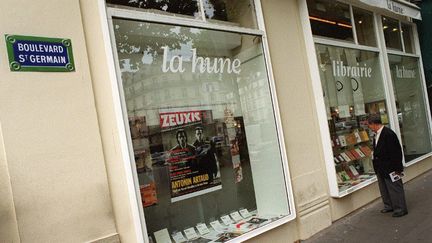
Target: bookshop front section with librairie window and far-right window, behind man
[368,63]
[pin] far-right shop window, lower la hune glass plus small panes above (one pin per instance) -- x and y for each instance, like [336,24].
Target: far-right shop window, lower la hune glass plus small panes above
[410,99]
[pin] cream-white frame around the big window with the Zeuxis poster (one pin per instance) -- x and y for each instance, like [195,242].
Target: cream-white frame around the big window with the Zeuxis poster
[121,112]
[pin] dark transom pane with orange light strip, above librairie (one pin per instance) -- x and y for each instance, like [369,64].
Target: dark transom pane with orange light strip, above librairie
[330,19]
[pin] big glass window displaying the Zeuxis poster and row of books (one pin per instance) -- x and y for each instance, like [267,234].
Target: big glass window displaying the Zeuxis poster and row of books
[203,131]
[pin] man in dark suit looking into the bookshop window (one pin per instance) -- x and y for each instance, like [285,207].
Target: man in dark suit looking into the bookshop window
[387,159]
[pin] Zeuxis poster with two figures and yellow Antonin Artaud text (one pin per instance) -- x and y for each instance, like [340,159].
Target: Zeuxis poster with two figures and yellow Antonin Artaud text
[188,137]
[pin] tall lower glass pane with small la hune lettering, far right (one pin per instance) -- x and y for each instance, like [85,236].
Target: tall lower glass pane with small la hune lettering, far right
[415,134]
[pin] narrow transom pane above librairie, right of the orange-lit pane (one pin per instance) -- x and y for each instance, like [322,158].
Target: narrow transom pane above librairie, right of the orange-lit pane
[364,23]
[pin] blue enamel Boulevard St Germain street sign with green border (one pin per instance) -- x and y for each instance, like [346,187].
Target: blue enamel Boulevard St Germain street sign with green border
[41,54]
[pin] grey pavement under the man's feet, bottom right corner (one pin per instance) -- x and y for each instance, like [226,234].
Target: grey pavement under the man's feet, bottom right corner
[369,225]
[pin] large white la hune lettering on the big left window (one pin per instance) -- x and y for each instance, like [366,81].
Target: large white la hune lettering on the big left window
[200,64]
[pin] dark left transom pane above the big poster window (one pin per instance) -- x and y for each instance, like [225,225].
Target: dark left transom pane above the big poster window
[170,7]
